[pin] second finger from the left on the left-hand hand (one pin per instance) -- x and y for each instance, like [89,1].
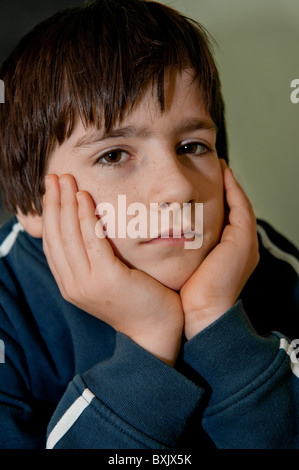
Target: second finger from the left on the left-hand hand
[71,235]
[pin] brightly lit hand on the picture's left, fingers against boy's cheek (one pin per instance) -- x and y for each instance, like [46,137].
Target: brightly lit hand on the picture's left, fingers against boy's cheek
[91,277]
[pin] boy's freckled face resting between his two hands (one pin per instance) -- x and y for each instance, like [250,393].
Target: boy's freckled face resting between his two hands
[153,157]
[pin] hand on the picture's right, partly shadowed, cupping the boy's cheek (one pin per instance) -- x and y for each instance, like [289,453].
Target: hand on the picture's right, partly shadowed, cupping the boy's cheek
[216,284]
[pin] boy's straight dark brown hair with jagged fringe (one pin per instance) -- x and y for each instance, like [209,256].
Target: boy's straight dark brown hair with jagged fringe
[90,62]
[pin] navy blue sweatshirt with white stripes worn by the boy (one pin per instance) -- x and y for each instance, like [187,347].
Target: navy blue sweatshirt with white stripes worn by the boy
[68,380]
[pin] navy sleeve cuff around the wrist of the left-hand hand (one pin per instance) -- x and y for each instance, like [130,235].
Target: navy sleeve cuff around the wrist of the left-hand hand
[144,391]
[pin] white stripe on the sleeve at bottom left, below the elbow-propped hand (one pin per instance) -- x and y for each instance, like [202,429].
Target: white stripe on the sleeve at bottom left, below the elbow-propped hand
[69,418]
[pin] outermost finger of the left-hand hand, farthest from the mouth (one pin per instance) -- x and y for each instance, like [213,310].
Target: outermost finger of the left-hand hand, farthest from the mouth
[52,245]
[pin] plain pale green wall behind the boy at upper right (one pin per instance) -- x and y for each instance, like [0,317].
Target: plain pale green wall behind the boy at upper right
[258,57]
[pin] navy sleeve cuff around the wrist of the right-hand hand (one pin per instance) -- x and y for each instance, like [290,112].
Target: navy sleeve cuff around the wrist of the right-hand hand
[229,354]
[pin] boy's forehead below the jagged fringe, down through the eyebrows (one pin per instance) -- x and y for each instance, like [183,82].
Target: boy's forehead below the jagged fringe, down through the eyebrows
[184,109]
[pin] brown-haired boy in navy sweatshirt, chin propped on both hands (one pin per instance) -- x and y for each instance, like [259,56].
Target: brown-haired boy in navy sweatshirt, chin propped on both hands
[134,342]
